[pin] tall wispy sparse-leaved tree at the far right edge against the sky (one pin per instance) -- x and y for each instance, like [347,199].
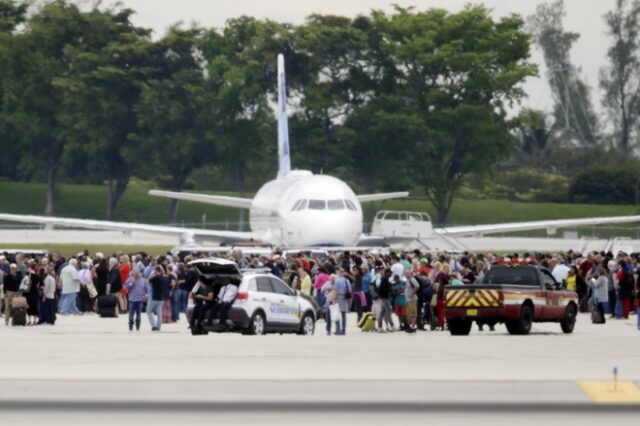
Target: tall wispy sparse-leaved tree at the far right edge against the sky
[620,80]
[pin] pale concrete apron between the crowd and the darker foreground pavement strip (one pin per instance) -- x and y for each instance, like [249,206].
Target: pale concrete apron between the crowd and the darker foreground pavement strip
[88,347]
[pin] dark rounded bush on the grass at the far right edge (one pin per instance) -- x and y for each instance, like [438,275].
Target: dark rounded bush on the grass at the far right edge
[605,185]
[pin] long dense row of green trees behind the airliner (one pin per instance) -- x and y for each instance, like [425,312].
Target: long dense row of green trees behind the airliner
[384,101]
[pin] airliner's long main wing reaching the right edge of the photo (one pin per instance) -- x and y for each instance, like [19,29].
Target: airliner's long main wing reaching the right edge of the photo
[549,225]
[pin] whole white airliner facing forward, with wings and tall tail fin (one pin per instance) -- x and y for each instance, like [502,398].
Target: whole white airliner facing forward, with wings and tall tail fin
[299,209]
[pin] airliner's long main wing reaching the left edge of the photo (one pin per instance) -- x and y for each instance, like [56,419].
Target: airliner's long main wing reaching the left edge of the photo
[184,233]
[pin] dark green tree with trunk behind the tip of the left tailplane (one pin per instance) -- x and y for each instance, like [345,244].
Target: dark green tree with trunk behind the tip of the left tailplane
[176,112]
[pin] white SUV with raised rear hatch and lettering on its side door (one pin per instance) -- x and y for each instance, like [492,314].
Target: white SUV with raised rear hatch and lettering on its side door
[264,303]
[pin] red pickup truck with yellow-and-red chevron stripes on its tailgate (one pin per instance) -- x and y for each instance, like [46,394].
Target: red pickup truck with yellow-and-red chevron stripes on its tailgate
[516,296]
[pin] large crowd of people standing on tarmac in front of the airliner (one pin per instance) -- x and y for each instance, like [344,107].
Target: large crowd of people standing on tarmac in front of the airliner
[403,288]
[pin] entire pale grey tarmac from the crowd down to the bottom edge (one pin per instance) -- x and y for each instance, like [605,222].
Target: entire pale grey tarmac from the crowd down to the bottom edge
[86,365]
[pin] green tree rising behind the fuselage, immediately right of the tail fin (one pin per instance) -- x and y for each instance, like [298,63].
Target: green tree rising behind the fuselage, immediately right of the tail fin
[328,79]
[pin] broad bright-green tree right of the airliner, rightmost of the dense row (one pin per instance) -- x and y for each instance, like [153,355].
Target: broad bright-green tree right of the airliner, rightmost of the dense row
[459,73]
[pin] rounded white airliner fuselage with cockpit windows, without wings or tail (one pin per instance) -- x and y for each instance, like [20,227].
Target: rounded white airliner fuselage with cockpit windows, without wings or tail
[304,210]
